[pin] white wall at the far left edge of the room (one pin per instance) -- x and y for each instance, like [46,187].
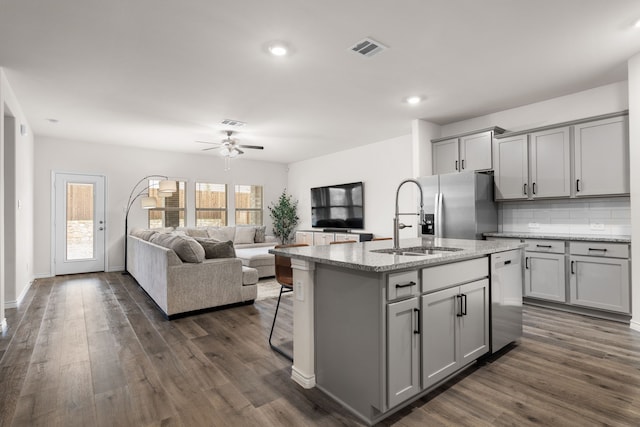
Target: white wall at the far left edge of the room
[17,208]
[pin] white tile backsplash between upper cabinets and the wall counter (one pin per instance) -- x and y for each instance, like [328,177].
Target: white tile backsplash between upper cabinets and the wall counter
[608,216]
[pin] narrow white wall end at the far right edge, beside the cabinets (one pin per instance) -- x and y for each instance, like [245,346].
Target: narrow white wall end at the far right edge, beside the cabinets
[634,154]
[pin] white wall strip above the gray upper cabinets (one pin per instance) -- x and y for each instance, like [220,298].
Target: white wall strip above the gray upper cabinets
[601,100]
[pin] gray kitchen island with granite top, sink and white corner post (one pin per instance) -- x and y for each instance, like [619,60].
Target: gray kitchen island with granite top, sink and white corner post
[376,330]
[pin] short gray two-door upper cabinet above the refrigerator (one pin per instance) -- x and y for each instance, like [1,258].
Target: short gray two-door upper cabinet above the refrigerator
[466,152]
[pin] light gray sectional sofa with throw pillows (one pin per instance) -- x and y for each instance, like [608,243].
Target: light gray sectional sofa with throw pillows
[179,287]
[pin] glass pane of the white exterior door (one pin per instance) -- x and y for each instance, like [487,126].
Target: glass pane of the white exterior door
[80,221]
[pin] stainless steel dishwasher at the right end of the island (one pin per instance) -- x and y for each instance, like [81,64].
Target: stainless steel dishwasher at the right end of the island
[506,298]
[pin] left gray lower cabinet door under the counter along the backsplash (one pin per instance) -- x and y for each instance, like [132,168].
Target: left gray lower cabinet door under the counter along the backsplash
[545,276]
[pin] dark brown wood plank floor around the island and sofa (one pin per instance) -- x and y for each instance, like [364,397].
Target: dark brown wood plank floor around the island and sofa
[92,349]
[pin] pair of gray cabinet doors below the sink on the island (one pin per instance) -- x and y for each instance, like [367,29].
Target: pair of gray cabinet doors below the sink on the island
[455,329]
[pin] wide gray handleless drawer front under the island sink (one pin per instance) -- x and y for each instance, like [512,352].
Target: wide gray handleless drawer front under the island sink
[443,276]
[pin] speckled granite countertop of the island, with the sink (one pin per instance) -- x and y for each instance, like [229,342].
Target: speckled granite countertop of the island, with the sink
[358,256]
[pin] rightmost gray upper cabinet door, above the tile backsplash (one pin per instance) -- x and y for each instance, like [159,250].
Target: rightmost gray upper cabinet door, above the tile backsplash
[602,157]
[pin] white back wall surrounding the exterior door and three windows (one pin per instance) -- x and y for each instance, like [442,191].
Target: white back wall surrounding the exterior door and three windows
[123,167]
